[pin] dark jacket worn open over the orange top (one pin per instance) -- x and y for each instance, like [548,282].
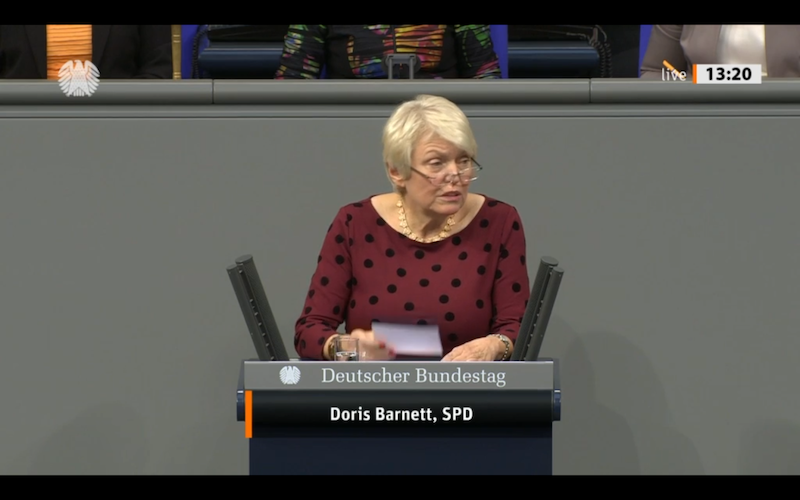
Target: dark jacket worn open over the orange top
[118,51]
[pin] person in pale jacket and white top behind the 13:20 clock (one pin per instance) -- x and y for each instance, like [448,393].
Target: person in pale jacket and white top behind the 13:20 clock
[776,47]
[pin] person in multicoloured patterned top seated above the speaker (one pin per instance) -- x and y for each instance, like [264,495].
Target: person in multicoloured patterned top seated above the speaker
[360,50]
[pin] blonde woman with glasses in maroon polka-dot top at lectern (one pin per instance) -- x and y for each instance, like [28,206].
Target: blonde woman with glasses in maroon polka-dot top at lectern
[429,252]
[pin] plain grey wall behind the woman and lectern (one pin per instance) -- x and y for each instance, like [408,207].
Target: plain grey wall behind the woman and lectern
[677,224]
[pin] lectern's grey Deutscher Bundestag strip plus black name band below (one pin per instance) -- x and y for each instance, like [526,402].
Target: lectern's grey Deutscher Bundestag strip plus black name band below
[400,394]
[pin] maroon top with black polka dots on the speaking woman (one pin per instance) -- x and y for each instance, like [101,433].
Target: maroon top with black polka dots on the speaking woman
[471,284]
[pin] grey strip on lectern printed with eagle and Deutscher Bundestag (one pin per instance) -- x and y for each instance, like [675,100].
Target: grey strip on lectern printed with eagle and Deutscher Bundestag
[398,376]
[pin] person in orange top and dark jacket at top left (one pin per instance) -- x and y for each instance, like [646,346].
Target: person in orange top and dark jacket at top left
[38,51]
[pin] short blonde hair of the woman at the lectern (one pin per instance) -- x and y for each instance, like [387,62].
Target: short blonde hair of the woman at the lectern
[422,118]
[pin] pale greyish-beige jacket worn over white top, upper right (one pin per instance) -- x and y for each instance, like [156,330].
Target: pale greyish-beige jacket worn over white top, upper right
[683,45]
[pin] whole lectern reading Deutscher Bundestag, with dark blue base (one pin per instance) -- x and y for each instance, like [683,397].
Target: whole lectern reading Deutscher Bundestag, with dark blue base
[399,417]
